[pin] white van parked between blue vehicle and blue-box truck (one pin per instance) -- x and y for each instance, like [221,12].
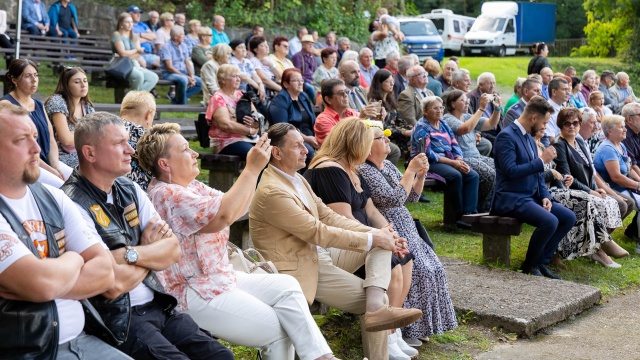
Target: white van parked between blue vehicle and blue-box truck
[451,27]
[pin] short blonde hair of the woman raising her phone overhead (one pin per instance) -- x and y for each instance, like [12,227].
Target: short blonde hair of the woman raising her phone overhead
[153,145]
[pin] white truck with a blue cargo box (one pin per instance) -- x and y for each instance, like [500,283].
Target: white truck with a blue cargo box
[505,27]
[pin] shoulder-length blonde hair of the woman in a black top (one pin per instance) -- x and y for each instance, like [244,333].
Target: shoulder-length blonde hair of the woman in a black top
[349,141]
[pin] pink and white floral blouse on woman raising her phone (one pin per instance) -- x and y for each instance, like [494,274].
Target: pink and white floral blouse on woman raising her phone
[204,265]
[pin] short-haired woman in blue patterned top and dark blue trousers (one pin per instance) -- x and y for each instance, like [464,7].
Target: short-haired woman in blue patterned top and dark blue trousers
[435,138]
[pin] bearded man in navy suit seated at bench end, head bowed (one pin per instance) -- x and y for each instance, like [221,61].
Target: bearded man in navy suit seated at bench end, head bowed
[520,188]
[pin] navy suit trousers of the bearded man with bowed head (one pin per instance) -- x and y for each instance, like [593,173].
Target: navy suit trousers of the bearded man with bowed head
[551,227]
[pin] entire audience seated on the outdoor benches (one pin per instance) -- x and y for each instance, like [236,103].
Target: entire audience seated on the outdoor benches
[134,249]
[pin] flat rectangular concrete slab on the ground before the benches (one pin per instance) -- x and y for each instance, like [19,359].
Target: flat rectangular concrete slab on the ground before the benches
[516,302]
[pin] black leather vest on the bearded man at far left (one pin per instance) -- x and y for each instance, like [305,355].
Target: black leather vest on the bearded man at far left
[30,330]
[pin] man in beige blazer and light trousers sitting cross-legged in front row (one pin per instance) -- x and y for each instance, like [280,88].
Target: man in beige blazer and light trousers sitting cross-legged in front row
[304,238]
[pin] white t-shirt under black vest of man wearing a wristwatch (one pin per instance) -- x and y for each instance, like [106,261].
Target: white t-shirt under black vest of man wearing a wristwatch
[141,294]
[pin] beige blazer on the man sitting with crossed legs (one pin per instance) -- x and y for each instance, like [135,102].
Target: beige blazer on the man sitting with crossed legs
[286,231]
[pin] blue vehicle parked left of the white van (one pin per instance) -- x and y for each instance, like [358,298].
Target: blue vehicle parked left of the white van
[421,38]
